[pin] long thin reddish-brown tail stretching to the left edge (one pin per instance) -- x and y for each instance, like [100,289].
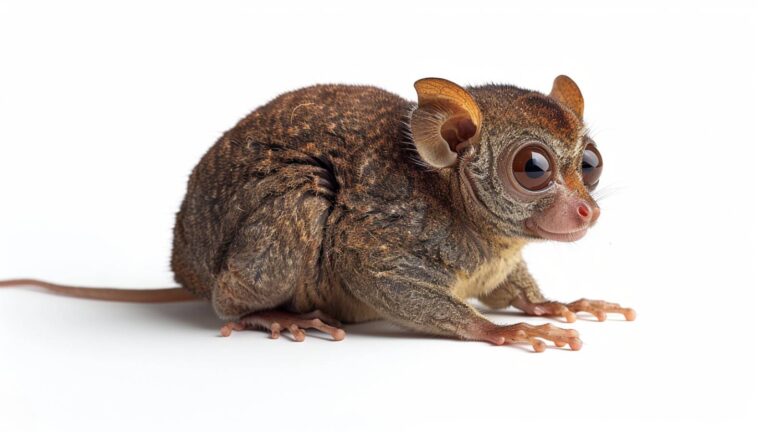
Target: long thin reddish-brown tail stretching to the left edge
[163,295]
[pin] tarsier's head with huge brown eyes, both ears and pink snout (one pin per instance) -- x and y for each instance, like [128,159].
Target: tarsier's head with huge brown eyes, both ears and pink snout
[524,161]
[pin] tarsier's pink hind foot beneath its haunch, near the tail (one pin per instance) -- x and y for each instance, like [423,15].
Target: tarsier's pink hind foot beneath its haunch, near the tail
[278,321]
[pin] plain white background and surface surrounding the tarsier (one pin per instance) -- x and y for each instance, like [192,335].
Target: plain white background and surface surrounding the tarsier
[105,109]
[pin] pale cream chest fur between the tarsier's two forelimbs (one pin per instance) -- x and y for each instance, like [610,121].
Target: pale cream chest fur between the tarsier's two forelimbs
[490,274]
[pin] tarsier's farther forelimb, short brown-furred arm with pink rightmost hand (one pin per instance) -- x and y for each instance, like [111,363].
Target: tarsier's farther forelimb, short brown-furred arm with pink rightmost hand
[521,291]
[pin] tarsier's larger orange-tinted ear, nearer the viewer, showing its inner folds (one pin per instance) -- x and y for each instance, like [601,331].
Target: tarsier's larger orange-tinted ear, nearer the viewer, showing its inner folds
[445,122]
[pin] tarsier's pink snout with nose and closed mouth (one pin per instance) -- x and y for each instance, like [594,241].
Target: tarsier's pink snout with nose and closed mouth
[567,219]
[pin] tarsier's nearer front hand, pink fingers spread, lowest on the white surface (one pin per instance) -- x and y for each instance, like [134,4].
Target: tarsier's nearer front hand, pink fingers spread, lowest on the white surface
[526,333]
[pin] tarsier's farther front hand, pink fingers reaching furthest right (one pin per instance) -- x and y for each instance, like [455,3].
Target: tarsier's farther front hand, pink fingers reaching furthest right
[598,308]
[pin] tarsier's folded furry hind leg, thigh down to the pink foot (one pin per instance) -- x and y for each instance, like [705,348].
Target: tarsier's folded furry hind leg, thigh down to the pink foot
[272,263]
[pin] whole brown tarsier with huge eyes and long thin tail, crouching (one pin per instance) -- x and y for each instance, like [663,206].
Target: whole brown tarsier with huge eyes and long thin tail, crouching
[338,203]
